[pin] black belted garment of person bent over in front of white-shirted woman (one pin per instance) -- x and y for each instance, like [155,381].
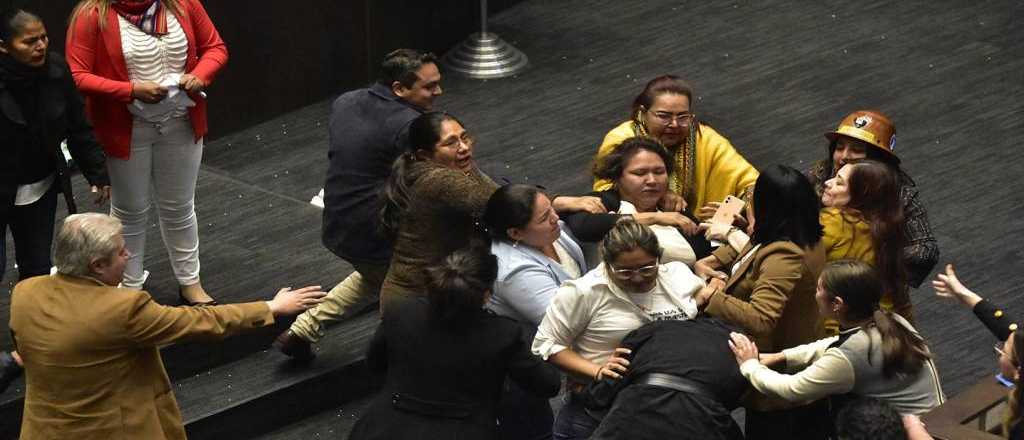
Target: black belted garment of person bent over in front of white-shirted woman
[697,350]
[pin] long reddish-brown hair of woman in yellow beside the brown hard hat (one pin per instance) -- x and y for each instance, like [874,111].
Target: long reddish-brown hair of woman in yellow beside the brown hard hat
[875,195]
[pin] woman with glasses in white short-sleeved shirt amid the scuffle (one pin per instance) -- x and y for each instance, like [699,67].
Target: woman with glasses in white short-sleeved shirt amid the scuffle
[589,317]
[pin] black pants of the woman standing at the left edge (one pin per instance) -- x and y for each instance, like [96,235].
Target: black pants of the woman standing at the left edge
[32,229]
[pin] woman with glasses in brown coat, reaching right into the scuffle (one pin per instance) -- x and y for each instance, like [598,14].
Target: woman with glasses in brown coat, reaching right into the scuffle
[434,200]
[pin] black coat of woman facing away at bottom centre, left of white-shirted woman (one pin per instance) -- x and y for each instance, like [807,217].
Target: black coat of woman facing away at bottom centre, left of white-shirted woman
[446,383]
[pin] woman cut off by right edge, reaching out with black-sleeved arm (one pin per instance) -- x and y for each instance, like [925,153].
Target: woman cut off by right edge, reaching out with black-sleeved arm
[1010,350]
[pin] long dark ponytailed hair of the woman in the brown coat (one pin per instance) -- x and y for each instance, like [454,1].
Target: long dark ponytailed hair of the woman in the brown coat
[424,134]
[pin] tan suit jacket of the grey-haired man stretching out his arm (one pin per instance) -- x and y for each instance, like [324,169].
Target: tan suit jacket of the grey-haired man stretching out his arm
[93,366]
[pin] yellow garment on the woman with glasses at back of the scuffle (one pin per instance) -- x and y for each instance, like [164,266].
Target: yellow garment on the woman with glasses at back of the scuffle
[708,173]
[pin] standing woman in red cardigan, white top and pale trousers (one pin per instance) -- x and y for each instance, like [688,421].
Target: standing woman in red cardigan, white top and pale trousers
[143,66]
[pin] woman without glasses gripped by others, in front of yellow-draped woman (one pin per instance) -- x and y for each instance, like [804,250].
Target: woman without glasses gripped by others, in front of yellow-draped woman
[639,169]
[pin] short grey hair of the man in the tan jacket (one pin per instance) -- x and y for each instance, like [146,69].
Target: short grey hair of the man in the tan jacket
[84,239]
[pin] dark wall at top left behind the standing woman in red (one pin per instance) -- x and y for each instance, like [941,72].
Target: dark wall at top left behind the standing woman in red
[286,55]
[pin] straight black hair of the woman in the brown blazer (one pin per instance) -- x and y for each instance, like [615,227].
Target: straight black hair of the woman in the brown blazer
[786,208]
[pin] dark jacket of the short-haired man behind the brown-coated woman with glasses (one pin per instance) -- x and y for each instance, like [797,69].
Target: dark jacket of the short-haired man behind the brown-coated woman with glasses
[369,129]
